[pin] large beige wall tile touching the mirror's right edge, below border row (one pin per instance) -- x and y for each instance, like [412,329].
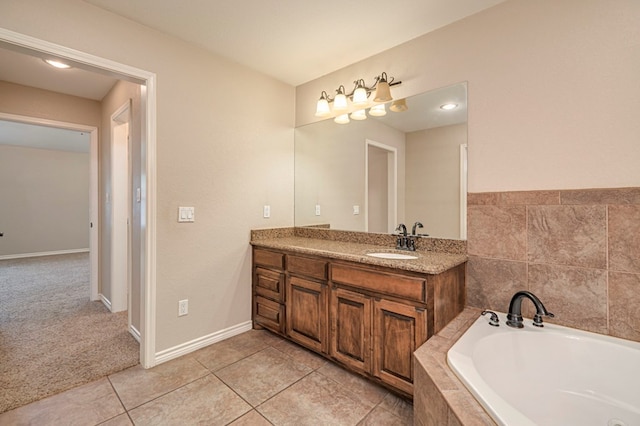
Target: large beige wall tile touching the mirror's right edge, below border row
[497,232]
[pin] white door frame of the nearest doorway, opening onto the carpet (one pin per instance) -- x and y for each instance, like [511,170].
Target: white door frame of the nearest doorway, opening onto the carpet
[147,80]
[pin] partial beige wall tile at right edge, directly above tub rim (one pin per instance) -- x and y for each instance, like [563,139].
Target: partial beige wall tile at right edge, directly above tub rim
[624,305]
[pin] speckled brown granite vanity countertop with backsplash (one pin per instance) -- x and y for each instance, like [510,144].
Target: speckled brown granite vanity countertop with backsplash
[346,246]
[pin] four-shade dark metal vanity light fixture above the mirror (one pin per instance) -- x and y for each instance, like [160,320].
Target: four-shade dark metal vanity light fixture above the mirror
[359,98]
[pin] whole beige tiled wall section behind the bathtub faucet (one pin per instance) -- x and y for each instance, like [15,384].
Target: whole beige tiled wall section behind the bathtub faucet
[578,250]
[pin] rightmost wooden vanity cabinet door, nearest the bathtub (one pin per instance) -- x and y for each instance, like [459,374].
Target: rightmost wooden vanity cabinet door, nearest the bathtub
[398,330]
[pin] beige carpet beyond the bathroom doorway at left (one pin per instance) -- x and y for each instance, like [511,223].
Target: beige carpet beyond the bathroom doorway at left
[52,338]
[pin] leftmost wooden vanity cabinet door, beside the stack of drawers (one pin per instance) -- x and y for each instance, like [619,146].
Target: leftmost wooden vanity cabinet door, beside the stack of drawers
[307,305]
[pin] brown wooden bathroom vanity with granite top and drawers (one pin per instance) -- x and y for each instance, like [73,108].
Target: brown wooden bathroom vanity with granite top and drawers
[365,313]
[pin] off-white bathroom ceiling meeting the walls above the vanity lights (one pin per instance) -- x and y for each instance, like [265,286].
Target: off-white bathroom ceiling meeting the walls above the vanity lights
[292,40]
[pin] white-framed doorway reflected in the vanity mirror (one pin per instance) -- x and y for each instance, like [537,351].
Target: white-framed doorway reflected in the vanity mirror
[381,182]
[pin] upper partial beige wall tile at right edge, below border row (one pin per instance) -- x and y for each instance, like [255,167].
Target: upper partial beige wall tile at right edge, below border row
[624,241]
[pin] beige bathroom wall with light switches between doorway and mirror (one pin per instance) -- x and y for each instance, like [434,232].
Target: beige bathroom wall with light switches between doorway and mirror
[215,151]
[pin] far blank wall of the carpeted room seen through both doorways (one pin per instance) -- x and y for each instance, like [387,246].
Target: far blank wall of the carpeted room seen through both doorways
[45,200]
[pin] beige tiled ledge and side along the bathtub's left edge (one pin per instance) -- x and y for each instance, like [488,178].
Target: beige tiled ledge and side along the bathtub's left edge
[440,398]
